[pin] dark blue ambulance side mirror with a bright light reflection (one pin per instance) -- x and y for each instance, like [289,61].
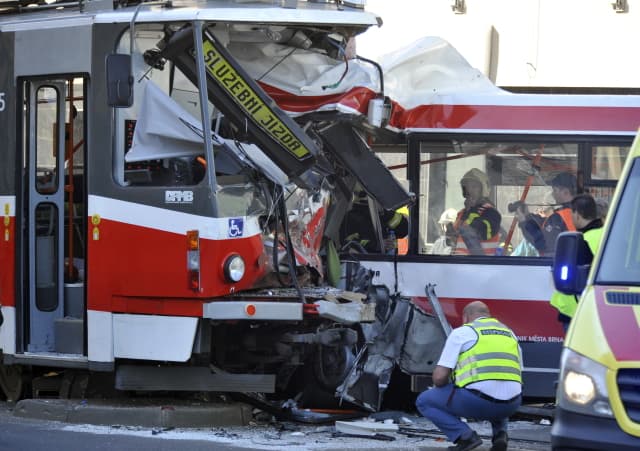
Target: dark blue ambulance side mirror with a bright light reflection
[571,263]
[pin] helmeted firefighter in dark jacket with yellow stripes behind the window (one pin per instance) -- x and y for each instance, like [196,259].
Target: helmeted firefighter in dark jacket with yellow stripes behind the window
[477,225]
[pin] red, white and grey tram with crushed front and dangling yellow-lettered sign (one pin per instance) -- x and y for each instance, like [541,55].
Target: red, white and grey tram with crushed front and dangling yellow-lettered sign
[173,179]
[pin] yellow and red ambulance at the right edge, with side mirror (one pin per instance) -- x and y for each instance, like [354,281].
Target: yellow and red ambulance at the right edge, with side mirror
[598,395]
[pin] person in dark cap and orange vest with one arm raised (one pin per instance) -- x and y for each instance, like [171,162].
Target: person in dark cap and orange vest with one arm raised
[542,232]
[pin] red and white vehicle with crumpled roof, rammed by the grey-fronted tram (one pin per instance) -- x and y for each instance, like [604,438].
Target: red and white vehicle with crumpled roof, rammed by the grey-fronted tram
[517,144]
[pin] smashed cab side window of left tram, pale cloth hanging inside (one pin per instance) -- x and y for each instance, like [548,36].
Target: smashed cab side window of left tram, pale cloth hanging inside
[168,152]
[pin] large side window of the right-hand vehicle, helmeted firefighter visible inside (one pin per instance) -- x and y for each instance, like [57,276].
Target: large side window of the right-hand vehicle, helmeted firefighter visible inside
[469,191]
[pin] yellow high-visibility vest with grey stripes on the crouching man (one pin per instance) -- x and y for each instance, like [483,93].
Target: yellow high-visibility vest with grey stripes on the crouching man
[495,356]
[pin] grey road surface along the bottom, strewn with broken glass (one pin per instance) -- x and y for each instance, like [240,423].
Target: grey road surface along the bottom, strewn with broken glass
[17,434]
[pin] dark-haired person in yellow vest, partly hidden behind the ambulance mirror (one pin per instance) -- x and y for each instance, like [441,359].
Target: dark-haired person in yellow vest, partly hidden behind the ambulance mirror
[586,218]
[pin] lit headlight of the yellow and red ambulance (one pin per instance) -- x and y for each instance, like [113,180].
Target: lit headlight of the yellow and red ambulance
[583,385]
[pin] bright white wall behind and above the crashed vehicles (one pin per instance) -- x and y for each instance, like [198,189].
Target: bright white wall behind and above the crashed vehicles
[574,43]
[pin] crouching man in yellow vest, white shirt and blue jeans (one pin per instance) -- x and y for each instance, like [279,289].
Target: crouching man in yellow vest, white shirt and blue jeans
[479,375]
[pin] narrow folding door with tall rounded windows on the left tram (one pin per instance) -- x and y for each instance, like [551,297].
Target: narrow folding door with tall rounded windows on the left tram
[54,221]
